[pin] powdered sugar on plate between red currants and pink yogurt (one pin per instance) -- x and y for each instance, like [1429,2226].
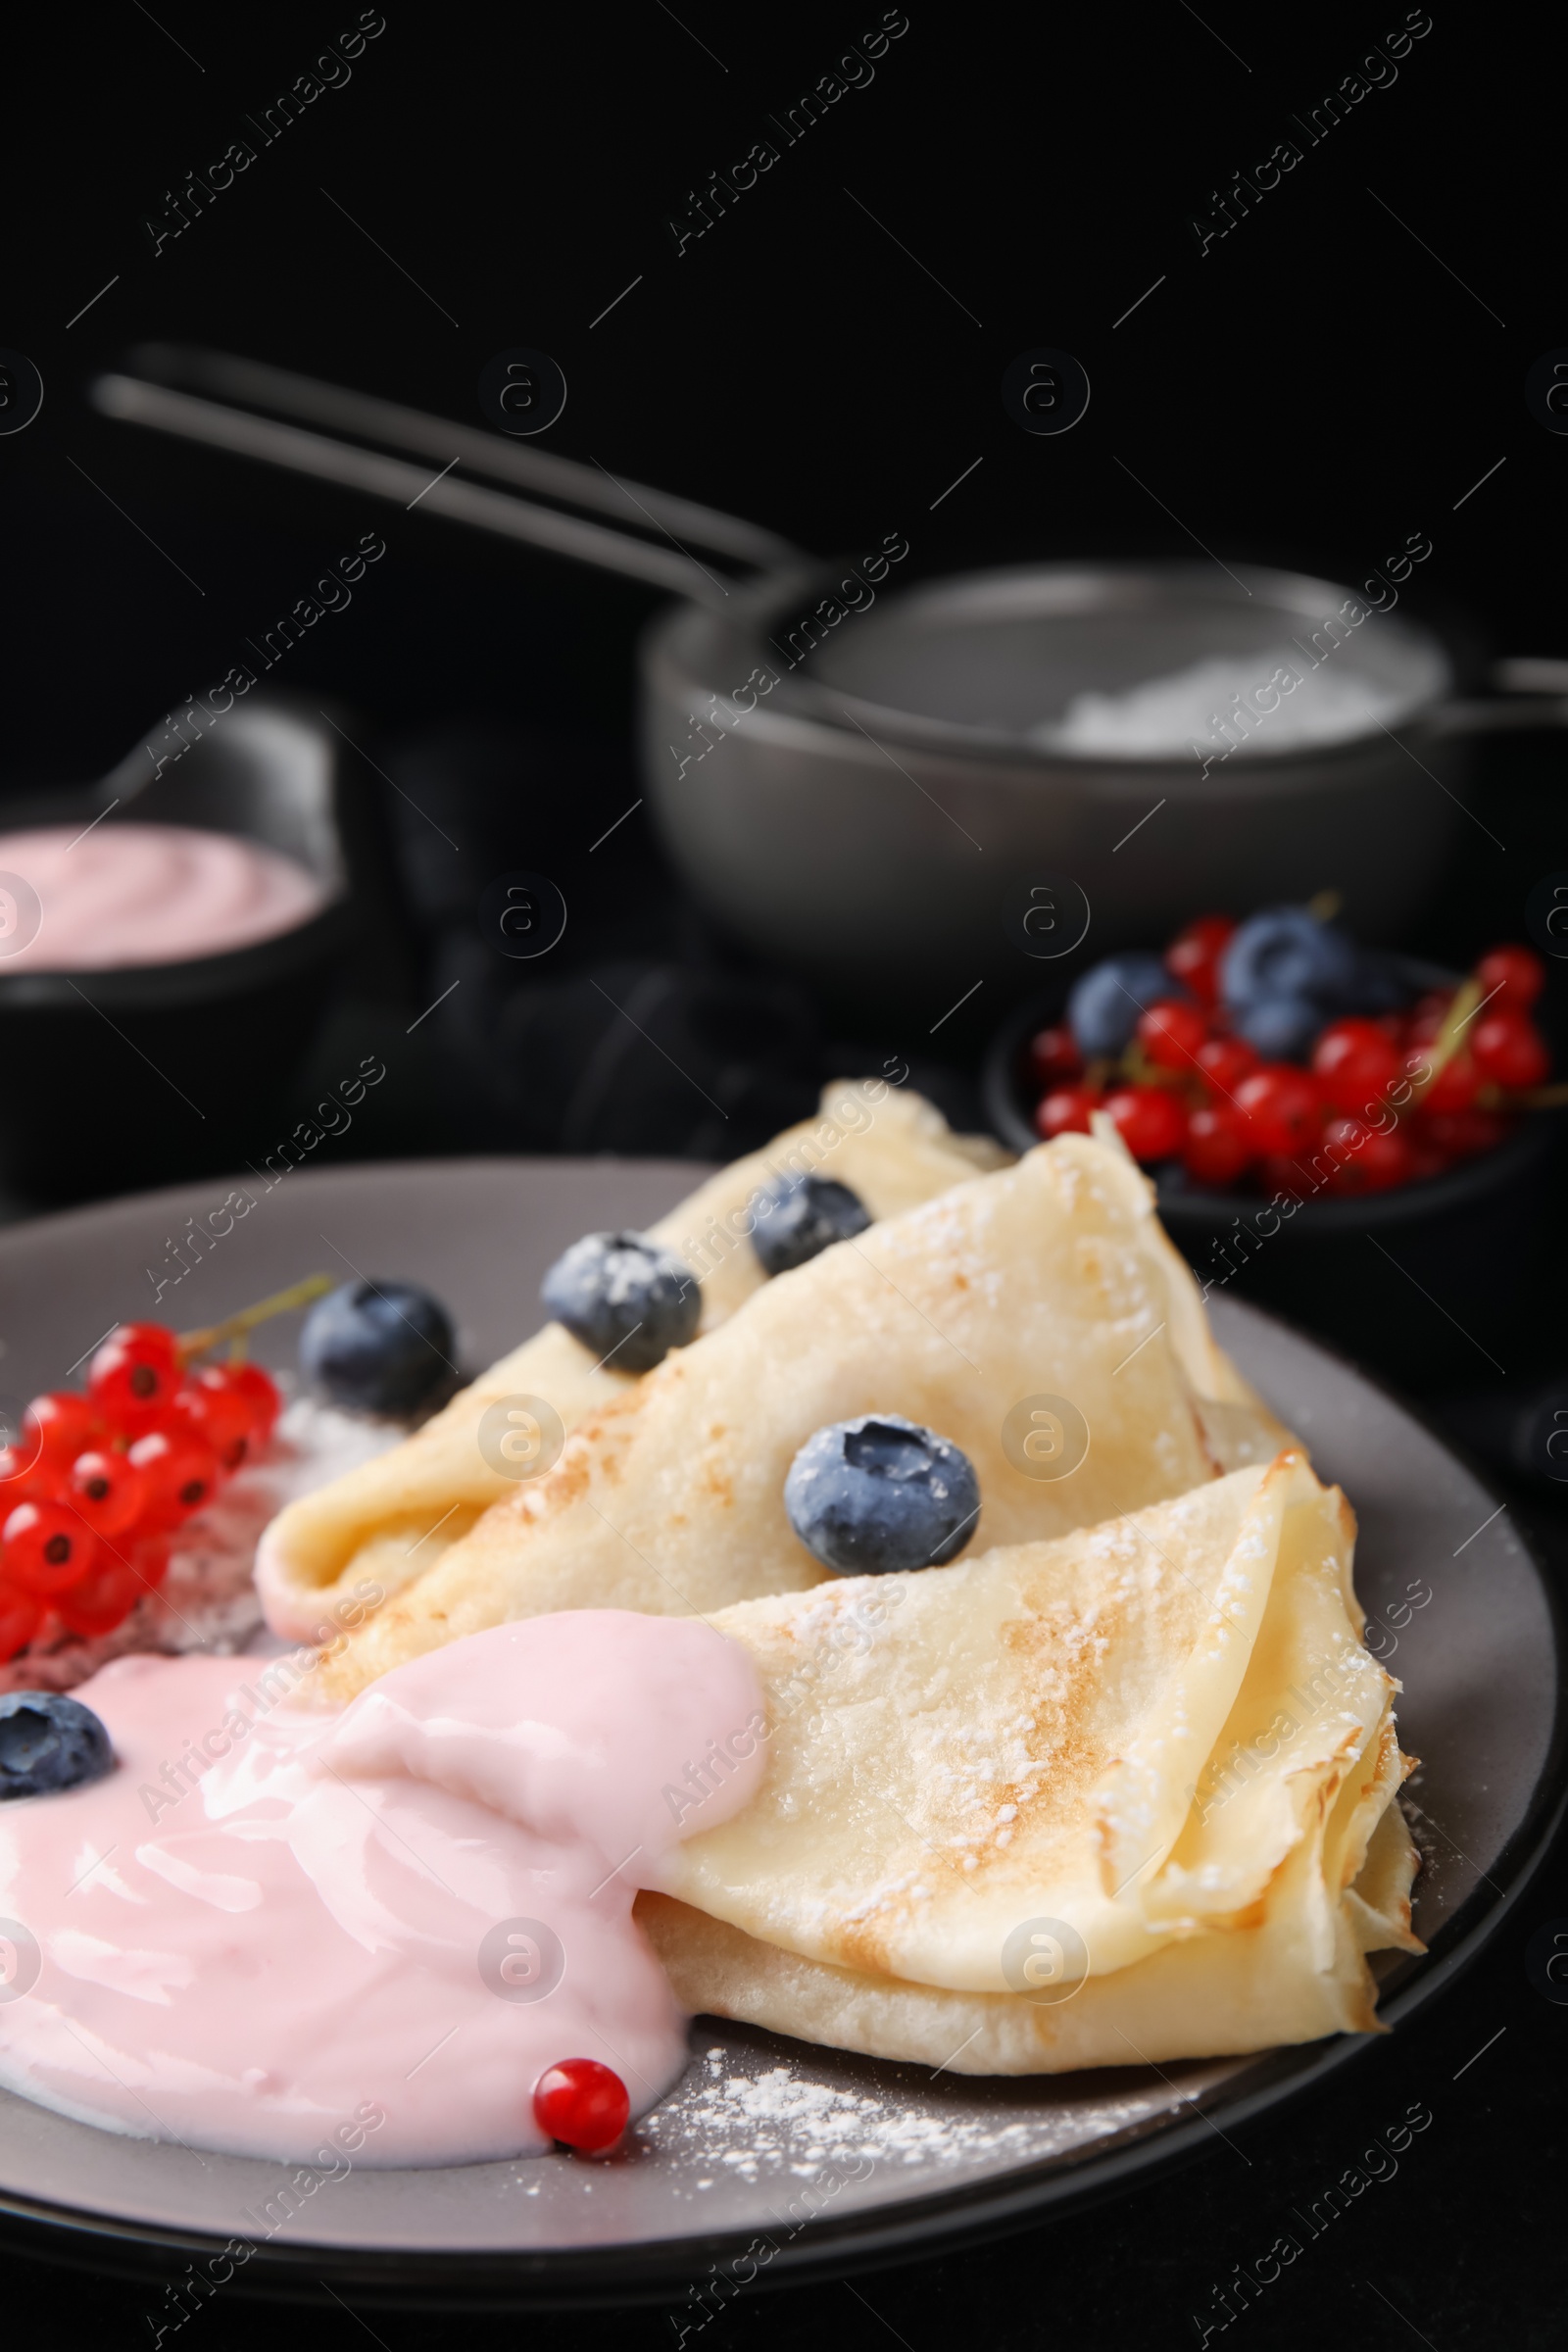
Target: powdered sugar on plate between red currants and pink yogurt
[208,1601]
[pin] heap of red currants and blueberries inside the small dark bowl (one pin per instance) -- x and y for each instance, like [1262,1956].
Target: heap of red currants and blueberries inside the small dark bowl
[1247,1050]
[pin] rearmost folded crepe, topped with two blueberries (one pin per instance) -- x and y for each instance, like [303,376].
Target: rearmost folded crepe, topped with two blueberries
[387,1523]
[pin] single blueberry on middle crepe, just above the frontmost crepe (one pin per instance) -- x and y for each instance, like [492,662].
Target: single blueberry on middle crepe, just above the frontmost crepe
[878,1495]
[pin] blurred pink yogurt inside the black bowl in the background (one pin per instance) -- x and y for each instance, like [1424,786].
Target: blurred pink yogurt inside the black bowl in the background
[142,895]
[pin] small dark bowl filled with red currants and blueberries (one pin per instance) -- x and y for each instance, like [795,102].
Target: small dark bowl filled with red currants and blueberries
[1353,1137]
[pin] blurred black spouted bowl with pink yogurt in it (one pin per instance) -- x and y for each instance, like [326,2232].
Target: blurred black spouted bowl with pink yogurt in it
[168,947]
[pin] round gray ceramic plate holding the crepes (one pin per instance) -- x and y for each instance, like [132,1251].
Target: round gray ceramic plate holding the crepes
[772,2158]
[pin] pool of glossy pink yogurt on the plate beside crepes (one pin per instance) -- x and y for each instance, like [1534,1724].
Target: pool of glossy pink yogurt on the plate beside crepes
[377,1927]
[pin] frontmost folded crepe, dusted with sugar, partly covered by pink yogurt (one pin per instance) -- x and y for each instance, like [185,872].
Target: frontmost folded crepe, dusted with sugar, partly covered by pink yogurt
[1106,1800]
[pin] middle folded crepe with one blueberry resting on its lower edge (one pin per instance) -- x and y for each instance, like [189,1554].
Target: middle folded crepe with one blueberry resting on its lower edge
[1047,1281]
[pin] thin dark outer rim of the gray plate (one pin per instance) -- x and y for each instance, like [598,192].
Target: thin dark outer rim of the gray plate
[939,2221]
